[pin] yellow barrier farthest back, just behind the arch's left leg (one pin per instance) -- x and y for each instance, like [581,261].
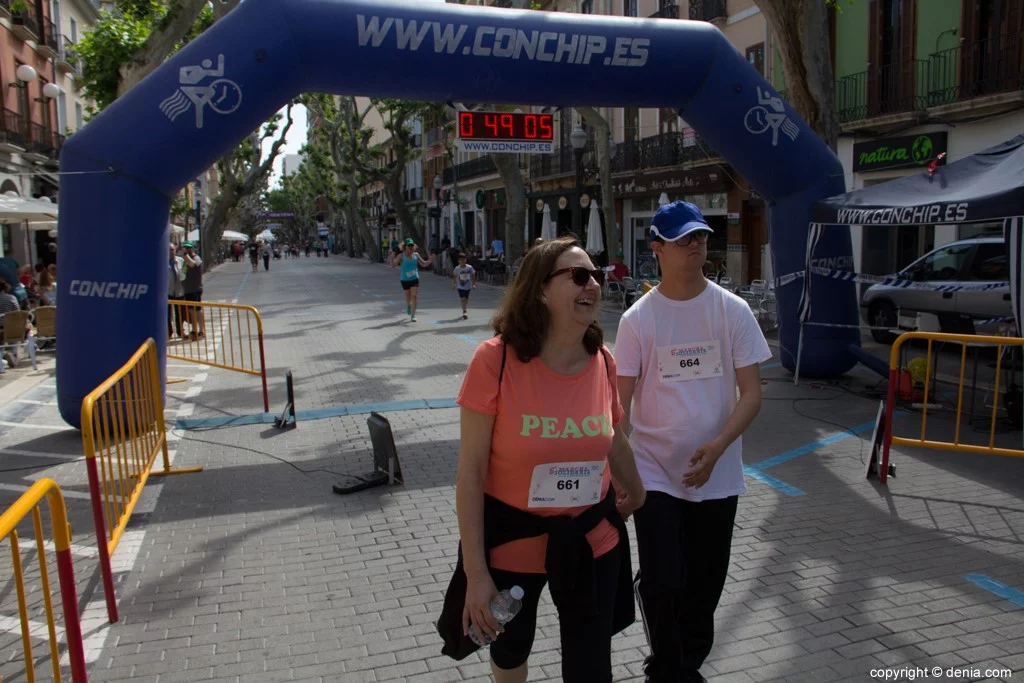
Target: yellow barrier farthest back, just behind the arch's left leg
[241,348]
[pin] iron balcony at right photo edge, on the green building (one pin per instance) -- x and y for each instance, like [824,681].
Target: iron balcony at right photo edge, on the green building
[977,69]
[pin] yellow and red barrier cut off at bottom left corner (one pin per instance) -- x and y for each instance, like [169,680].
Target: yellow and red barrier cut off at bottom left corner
[29,504]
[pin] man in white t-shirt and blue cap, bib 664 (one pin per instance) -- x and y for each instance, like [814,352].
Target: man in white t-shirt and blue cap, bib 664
[682,351]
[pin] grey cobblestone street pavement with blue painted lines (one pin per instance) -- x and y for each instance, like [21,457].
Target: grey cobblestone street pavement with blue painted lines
[255,571]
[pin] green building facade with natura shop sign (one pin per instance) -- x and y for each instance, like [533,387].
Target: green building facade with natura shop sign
[916,79]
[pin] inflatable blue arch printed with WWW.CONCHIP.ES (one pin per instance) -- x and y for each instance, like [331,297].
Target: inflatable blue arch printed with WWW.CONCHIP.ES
[125,166]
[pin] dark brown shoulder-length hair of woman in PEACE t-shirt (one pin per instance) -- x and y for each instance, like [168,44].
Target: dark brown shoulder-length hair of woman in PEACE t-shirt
[523,320]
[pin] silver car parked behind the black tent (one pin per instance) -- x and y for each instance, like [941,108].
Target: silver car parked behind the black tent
[975,262]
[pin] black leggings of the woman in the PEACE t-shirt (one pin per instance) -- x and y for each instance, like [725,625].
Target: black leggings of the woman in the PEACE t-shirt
[586,639]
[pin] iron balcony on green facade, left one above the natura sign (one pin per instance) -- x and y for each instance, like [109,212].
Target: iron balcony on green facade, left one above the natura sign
[895,89]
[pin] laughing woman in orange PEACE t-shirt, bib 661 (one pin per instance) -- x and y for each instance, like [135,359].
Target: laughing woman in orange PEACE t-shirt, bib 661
[540,439]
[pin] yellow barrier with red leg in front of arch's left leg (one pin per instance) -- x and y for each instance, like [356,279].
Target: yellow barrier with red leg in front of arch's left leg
[123,433]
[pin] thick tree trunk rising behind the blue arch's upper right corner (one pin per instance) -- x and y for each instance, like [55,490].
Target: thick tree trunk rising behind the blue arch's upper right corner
[801,31]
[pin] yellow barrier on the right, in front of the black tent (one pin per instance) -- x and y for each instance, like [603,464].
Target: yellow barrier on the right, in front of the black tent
[897,377]
